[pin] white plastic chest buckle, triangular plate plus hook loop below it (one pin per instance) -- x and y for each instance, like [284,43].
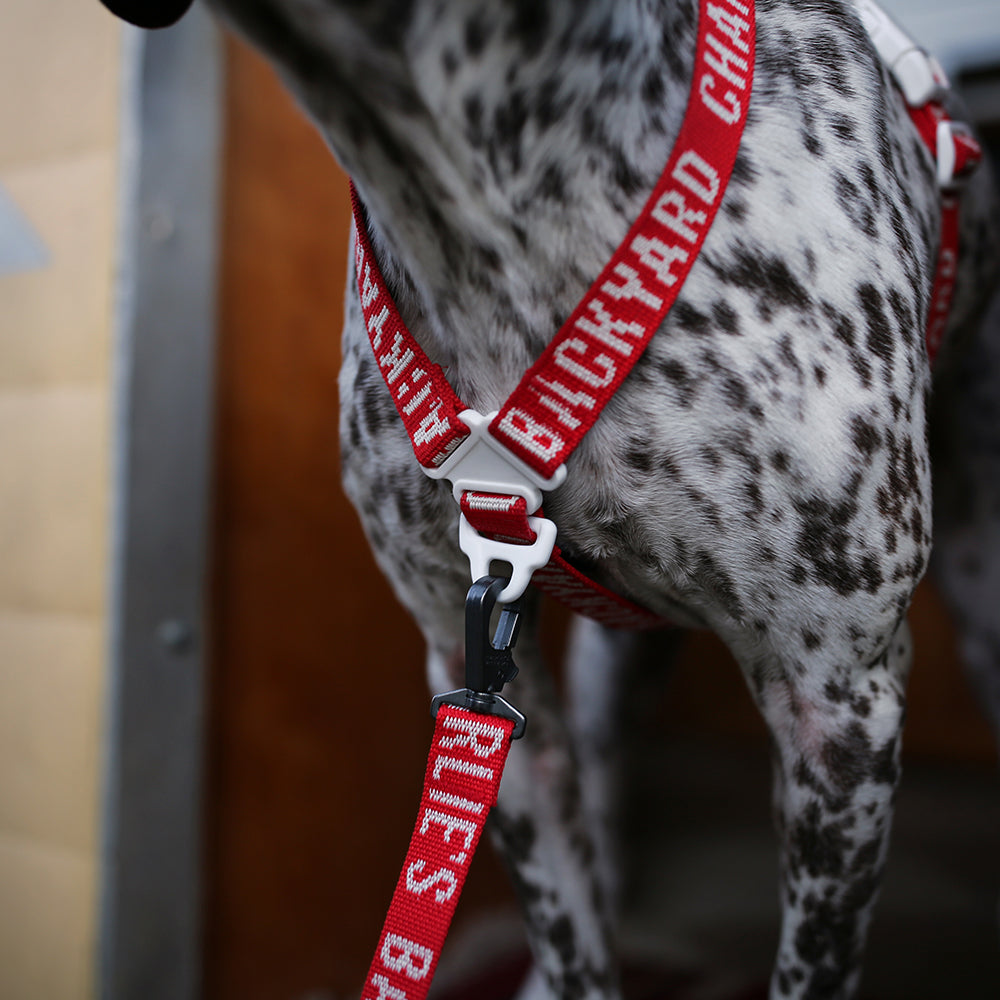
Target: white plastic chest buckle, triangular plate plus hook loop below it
[482,464]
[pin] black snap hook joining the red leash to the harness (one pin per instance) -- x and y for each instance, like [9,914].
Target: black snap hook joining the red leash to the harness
[489,663]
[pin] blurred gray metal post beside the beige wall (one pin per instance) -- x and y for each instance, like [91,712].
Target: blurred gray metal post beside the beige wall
[150,898]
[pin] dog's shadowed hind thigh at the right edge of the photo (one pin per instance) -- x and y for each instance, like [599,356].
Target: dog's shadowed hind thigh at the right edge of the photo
[966,562]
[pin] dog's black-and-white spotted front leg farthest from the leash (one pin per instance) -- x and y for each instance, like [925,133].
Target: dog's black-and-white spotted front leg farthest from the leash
[837,738]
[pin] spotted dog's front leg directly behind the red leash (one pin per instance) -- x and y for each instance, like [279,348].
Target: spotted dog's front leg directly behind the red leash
[539,827]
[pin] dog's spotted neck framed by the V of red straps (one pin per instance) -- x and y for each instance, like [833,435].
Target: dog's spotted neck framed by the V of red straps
[501,148]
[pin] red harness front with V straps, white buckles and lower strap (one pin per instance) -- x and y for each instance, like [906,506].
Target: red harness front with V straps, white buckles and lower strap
[521,450]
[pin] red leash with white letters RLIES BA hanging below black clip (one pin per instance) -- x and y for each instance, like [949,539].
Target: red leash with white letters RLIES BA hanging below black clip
[466,761]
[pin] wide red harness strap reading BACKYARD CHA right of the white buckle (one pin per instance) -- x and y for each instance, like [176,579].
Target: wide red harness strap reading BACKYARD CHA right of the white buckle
[562,394]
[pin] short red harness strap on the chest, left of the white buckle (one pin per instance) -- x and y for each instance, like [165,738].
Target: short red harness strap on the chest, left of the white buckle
[425,401]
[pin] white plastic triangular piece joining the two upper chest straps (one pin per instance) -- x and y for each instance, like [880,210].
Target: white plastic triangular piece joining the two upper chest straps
[484,465]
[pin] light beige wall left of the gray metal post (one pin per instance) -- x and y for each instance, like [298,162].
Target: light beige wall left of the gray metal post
[59,78]
